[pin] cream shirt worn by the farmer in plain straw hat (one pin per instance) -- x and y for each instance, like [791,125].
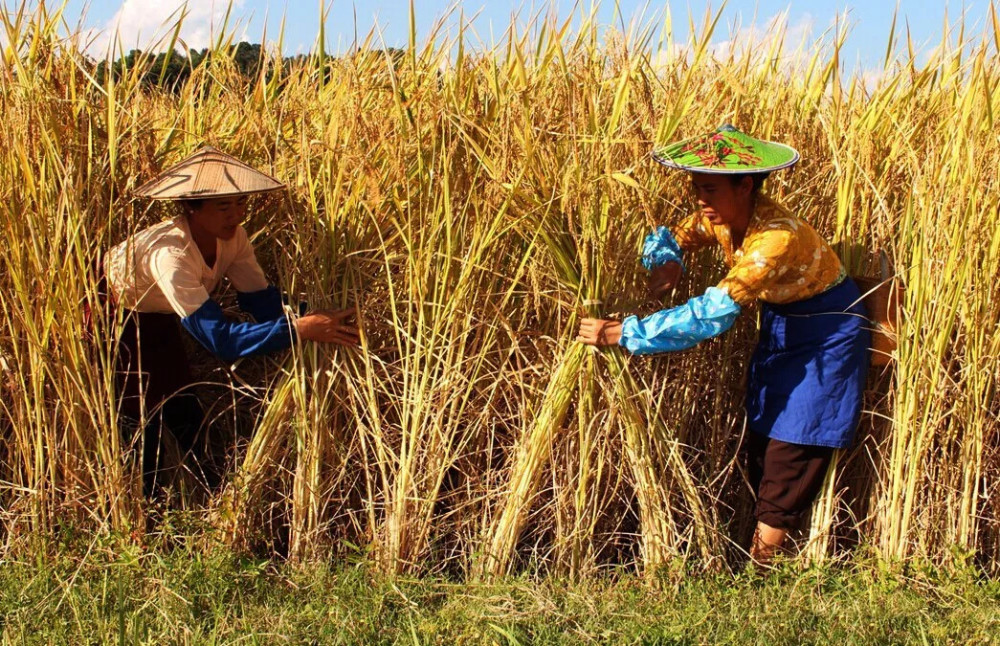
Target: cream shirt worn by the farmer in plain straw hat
[160,269]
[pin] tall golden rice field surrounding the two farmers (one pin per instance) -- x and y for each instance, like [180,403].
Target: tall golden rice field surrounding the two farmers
[474,203]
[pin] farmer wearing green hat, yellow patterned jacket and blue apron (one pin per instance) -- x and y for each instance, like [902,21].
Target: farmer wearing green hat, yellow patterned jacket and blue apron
[806,377]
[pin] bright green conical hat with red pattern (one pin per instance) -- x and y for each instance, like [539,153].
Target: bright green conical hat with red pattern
[727,150]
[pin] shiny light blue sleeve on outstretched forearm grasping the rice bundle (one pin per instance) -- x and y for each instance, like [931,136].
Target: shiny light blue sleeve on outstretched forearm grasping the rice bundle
[681,327]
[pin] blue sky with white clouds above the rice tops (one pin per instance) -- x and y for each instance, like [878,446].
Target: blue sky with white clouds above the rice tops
[140,21]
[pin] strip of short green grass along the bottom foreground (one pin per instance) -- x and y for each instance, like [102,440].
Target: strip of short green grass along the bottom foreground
[114,592]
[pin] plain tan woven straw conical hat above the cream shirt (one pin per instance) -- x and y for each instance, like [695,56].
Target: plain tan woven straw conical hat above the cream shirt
[207,173]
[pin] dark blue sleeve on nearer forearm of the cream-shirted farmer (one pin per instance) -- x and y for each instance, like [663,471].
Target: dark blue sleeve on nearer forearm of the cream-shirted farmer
[231,341]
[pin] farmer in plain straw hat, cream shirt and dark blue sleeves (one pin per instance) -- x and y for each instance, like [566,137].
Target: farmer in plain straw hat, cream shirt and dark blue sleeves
[164,275]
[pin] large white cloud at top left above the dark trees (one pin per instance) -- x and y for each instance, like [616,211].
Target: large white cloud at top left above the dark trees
[141,24]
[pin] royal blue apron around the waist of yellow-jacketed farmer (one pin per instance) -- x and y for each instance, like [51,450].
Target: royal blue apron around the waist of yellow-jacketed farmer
[807,375]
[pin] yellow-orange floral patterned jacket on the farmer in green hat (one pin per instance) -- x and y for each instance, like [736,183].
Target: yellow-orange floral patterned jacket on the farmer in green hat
[782,258]
